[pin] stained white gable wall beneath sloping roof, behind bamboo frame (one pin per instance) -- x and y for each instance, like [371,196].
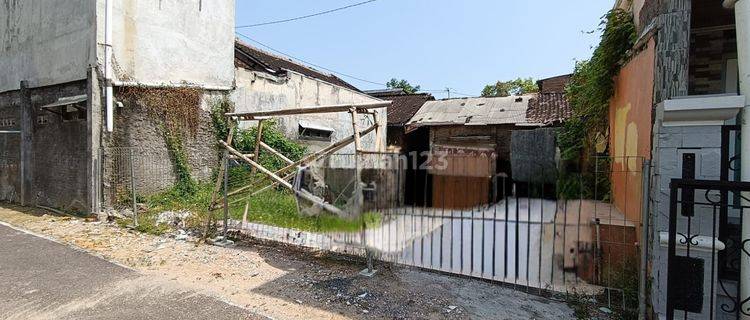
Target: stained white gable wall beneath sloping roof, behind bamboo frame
[262,92]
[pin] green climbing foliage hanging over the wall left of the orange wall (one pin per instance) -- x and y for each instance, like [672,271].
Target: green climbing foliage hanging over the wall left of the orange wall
[589,93]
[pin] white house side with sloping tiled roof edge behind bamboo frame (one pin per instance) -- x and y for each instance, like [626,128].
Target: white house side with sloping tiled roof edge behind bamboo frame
[268,82]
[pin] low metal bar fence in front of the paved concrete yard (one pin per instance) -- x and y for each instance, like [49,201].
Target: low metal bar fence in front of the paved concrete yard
[456,213]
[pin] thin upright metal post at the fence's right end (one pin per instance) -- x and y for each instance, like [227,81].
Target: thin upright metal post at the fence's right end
[646,181]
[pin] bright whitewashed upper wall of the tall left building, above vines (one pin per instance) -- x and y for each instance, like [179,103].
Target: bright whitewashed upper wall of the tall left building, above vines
[159,42]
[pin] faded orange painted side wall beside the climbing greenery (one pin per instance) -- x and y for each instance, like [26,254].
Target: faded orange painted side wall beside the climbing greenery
[630,126]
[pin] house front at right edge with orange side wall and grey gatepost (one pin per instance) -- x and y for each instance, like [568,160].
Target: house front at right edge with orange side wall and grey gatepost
[677,104]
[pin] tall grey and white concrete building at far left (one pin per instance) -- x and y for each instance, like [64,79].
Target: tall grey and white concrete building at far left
[65,63]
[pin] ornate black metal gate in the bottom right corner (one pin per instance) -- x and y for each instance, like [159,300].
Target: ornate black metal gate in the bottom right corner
[696,284]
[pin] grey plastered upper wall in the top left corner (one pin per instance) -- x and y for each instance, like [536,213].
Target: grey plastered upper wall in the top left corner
[45,42]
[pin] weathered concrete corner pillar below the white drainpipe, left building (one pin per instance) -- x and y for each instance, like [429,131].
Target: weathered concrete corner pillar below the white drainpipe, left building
[94,129]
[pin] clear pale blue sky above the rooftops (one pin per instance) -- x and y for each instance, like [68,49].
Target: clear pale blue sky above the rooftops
[463,45]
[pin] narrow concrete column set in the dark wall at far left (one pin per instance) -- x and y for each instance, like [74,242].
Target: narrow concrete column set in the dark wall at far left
[27,130]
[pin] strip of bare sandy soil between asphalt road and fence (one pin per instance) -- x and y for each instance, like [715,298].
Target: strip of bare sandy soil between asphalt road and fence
[285,283]
